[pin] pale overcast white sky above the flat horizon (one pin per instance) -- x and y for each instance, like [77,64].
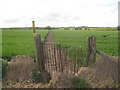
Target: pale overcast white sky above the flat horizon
[20,13]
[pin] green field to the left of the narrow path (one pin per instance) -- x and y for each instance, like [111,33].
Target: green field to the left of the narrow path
[19,42]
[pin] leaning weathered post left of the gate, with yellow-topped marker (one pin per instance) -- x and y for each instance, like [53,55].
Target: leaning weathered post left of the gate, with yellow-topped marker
[45,76]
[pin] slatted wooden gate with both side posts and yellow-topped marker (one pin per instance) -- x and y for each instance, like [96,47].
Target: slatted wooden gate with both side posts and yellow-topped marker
[52,57]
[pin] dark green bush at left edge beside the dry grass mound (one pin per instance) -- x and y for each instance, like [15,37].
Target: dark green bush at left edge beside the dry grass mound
[4,65]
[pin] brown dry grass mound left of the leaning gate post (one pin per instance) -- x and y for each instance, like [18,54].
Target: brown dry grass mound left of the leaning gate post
[20,69]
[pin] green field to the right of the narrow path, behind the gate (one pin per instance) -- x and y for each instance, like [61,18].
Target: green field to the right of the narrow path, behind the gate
[107,41]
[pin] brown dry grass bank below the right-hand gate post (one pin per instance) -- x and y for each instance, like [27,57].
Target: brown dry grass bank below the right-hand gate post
[103,73]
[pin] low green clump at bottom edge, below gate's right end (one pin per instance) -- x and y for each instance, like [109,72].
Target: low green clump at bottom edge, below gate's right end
[80,83]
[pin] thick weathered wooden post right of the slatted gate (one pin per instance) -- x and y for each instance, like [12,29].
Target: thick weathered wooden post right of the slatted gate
[91,50]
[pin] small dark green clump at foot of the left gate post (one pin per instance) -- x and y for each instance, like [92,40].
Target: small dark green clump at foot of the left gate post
[36,76]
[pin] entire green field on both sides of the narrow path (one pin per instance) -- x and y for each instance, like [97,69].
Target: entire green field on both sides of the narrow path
[20,42]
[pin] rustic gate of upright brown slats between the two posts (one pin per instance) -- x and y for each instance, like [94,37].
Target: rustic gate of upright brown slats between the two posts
[58,59]
